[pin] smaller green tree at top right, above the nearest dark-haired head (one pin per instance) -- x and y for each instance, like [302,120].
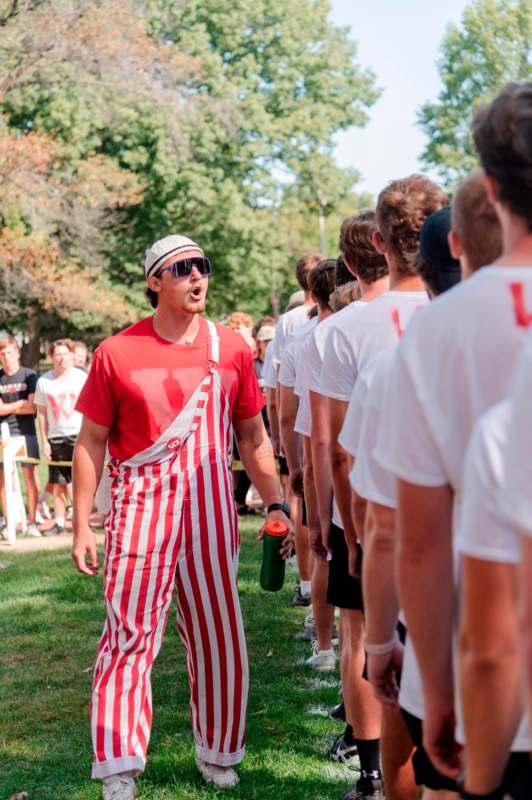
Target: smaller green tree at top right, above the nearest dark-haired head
[492,46]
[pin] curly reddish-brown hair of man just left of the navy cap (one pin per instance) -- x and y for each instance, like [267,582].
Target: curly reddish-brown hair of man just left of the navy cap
[402,208]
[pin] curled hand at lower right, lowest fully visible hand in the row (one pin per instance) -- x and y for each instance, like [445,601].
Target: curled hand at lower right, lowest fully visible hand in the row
[438,739]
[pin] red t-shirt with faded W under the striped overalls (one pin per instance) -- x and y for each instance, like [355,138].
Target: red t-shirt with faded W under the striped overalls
[138,383]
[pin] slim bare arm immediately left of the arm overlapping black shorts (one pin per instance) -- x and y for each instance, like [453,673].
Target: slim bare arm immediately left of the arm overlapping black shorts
[319,443]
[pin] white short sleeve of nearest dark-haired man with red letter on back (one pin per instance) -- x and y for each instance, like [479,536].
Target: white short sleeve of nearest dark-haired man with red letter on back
[406,444]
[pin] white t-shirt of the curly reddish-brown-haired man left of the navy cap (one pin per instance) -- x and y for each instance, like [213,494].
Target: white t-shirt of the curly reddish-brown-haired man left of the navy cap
[365,333]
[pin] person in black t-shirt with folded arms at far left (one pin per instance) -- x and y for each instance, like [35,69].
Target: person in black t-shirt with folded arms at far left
[17,408]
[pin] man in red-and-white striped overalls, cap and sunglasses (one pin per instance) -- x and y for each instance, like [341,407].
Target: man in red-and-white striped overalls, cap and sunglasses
[163,396]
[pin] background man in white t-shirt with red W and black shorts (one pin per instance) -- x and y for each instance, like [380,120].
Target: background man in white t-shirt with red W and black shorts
[56,396]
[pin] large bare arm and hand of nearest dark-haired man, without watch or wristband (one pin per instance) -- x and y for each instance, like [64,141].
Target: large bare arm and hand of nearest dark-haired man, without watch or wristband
[426,593]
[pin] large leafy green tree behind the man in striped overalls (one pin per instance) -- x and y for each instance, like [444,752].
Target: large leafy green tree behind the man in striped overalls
[221,112]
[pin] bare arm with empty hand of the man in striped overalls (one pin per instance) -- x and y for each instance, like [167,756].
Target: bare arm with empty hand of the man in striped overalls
[87,466]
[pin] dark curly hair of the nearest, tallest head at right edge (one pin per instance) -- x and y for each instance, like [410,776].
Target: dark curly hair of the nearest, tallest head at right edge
[502,133]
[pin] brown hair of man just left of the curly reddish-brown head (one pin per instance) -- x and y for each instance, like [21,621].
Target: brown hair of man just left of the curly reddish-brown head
[356,247]
